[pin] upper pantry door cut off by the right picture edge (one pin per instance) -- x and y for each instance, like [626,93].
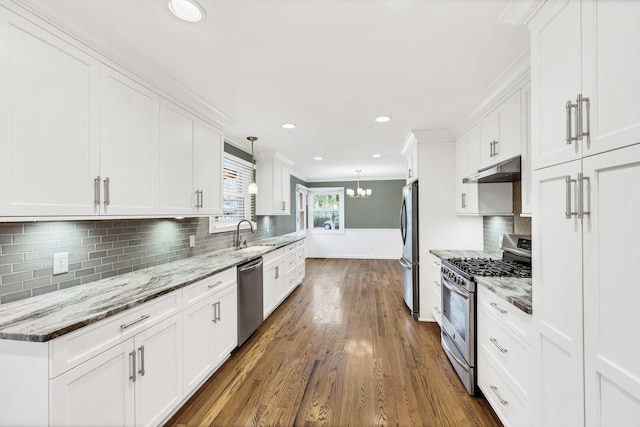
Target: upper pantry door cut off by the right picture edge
[610,70]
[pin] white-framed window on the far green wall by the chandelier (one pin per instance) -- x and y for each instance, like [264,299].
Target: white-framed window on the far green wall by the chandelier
[326,210]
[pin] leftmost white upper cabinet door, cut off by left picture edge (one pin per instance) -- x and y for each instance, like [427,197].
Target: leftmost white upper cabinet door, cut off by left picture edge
[48,123]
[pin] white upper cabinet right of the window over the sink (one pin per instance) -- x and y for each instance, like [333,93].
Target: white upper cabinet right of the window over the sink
[274,185]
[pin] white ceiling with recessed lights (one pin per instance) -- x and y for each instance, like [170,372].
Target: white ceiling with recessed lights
[329,66]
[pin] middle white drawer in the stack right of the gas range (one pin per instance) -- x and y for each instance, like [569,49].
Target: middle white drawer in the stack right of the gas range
[510,353]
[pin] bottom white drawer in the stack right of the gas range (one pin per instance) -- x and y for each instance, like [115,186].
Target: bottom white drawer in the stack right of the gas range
[510,406]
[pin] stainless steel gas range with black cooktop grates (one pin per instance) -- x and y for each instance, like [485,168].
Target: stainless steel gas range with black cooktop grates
[459,300]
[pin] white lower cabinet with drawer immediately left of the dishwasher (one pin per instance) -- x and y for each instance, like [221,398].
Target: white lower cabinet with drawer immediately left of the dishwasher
[210,326]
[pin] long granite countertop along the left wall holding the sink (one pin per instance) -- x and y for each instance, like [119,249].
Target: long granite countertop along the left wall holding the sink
[46,317]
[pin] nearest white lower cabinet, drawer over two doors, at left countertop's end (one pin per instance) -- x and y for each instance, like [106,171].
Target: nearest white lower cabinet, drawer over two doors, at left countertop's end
[138,382]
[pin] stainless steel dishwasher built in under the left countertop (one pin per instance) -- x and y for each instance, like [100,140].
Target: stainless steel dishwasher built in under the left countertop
[250,310]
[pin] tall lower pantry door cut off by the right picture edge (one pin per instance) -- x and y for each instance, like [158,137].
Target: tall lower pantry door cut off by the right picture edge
[611,291]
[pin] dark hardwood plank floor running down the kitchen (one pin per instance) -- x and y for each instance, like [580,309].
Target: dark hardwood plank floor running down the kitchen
[342,350]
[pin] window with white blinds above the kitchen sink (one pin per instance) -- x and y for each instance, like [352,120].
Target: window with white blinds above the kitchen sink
[237,203]
